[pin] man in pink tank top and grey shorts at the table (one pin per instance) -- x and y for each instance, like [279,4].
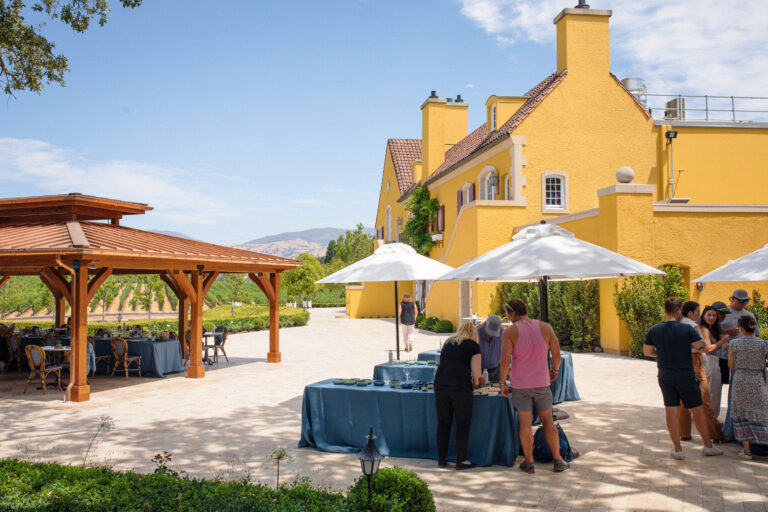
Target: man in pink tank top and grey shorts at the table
[528,342]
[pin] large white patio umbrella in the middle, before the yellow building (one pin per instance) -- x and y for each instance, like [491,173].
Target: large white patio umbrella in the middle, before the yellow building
[544,253]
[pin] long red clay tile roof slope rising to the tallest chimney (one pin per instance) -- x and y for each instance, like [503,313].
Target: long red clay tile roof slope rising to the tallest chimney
[477,140]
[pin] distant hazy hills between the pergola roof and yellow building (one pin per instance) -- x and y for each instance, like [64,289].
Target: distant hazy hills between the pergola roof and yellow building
[291,244]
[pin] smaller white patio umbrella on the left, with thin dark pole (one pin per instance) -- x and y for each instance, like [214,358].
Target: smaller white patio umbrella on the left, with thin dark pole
[391,262]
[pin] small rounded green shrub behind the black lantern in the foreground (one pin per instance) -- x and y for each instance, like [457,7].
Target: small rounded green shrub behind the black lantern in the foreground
[394,489]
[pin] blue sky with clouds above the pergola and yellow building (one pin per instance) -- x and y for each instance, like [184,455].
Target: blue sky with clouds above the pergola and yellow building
[237,120]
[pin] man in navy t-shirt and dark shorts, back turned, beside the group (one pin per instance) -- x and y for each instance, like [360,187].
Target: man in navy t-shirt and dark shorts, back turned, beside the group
[670,342]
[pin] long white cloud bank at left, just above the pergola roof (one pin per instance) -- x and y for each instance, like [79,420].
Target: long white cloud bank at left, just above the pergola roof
[177,195]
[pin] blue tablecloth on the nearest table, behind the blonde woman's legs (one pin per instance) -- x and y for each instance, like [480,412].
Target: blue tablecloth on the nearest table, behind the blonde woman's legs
[336,419]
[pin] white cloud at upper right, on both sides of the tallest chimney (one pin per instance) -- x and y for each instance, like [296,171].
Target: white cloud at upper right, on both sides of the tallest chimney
[686,46]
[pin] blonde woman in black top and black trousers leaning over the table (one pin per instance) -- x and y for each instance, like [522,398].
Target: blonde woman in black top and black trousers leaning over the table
[459,370]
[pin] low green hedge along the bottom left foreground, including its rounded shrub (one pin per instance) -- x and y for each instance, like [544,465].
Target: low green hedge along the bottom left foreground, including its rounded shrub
[47,486]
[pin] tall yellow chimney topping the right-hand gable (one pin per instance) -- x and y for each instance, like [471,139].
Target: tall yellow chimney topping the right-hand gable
[582,41]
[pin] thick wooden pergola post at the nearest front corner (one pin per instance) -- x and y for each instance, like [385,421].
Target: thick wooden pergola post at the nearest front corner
[79,388]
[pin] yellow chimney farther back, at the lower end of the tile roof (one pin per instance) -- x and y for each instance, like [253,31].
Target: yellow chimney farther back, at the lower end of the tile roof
[443,124]
